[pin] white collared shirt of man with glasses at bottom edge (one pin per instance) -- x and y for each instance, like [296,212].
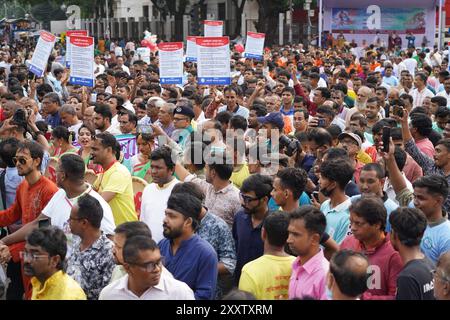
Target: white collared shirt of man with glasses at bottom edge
[167,289]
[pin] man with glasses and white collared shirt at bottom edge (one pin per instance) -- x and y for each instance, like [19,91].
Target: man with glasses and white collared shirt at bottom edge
[145,278]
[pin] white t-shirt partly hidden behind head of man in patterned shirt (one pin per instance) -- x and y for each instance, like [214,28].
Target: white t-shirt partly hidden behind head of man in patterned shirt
[59,207]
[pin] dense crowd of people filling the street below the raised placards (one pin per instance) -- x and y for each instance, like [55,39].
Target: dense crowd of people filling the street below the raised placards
[318,173]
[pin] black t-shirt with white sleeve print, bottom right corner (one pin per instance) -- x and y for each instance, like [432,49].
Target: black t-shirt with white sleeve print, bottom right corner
[415,281]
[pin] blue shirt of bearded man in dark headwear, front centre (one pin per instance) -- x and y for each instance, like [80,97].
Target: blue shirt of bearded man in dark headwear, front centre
[194,263]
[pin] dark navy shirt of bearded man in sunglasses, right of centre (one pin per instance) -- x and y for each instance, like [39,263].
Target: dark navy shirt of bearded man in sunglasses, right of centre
[249,245]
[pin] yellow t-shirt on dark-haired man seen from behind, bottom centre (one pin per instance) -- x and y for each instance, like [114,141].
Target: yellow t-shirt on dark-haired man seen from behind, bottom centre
[267,277]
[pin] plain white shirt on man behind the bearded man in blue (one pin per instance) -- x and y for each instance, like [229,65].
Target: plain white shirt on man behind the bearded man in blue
[153,207]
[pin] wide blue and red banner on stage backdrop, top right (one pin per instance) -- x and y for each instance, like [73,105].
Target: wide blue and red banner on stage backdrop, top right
[375,18]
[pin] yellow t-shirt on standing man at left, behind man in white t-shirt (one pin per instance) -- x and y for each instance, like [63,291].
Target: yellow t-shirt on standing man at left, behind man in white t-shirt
[117,179]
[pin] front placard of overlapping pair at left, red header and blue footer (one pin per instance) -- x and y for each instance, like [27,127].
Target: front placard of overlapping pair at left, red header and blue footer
[82,61]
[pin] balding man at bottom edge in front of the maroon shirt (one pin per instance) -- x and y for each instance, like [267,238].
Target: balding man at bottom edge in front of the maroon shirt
[347,278]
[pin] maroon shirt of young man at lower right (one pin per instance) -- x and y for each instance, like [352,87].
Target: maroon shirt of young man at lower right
[385,265]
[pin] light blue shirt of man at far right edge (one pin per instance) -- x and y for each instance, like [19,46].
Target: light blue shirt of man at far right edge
[436,240]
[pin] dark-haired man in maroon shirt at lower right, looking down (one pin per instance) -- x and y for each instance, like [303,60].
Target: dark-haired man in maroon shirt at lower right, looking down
[368,222]
